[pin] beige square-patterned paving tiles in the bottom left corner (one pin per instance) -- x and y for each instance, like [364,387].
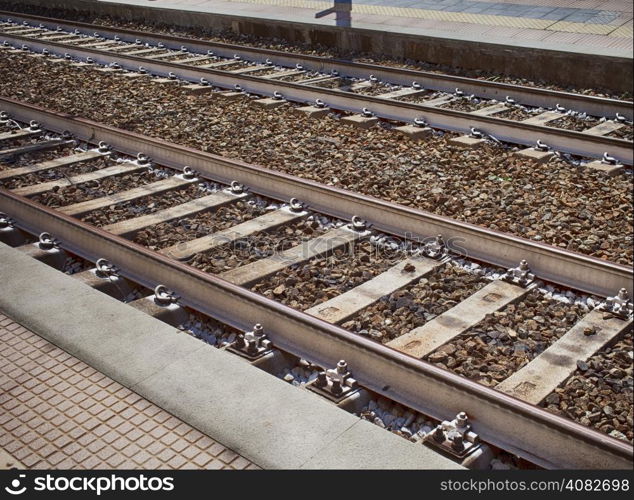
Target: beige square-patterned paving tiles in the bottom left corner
[63,414]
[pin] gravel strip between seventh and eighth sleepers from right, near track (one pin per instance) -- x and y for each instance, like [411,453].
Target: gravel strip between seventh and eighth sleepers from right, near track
[69,195]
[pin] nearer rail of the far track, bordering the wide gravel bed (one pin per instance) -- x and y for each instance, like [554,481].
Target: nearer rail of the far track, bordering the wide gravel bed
[505,130]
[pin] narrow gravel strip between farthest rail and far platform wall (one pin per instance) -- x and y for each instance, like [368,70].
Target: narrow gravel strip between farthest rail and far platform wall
[295,46]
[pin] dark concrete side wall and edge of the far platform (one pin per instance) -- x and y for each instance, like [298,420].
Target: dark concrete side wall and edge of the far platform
[536,61]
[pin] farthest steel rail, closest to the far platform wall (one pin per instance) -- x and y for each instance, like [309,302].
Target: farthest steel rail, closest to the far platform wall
[532,96]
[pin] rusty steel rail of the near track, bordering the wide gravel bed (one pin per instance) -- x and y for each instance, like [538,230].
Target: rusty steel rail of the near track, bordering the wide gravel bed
[550,263]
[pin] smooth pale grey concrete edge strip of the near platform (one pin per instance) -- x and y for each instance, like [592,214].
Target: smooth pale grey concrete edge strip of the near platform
[269,422]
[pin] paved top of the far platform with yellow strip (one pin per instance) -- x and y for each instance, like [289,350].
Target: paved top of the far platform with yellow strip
[586,26]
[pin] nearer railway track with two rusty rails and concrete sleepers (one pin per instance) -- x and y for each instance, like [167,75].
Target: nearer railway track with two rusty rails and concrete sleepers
[401,369]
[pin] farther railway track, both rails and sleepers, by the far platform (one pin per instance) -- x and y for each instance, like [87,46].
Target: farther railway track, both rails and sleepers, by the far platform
[510,113]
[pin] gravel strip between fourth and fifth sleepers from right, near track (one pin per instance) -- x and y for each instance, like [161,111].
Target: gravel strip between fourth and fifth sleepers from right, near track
[259,246]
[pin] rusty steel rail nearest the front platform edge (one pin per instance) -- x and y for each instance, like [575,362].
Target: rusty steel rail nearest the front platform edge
[509,423]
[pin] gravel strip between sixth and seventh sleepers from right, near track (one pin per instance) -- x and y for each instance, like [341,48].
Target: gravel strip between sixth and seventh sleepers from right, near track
[144,206]
